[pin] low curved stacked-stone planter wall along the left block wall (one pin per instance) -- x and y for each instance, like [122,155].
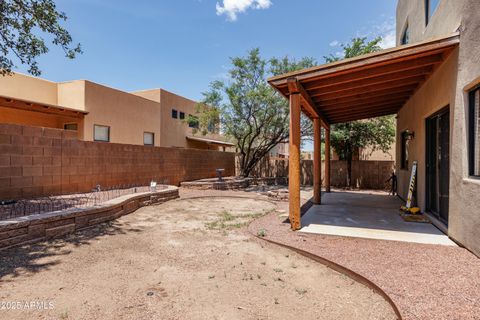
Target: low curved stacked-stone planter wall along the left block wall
[41,227]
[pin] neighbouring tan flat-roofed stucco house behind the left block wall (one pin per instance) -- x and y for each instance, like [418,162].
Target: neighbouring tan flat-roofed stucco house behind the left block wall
[99,113]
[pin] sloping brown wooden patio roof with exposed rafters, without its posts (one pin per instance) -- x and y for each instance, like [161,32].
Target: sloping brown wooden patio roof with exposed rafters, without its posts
[367,86]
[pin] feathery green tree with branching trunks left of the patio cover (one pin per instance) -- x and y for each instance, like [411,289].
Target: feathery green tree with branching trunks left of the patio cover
[250,111]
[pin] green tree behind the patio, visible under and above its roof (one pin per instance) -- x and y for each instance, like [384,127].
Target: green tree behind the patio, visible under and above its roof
[377,133]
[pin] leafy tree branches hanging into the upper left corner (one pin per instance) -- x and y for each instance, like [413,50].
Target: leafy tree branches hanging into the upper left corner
[21,22]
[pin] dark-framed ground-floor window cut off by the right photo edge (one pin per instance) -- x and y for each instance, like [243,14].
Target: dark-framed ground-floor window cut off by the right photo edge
[474,120]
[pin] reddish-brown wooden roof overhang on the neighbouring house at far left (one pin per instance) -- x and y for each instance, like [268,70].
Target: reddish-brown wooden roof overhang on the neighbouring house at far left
[40,107]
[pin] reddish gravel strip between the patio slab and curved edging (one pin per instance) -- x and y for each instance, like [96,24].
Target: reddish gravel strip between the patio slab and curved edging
[424,281]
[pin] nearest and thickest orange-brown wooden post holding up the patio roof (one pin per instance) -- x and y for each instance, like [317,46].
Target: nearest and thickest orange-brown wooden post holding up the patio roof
[294,162]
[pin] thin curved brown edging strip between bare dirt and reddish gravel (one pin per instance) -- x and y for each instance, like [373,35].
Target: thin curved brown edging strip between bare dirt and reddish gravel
[339,268]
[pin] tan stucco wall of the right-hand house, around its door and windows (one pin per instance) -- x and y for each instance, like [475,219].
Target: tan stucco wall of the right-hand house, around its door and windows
[448,85]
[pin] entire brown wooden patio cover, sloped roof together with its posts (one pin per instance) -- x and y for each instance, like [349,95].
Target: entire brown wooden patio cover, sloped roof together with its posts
[363,87]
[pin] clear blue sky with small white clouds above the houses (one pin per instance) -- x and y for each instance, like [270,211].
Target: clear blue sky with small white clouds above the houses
[183,45]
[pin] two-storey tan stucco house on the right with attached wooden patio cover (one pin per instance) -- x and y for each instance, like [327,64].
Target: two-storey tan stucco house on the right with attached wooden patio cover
[431,81]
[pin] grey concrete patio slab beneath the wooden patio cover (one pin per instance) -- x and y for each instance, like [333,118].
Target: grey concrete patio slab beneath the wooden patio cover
[370,215]
